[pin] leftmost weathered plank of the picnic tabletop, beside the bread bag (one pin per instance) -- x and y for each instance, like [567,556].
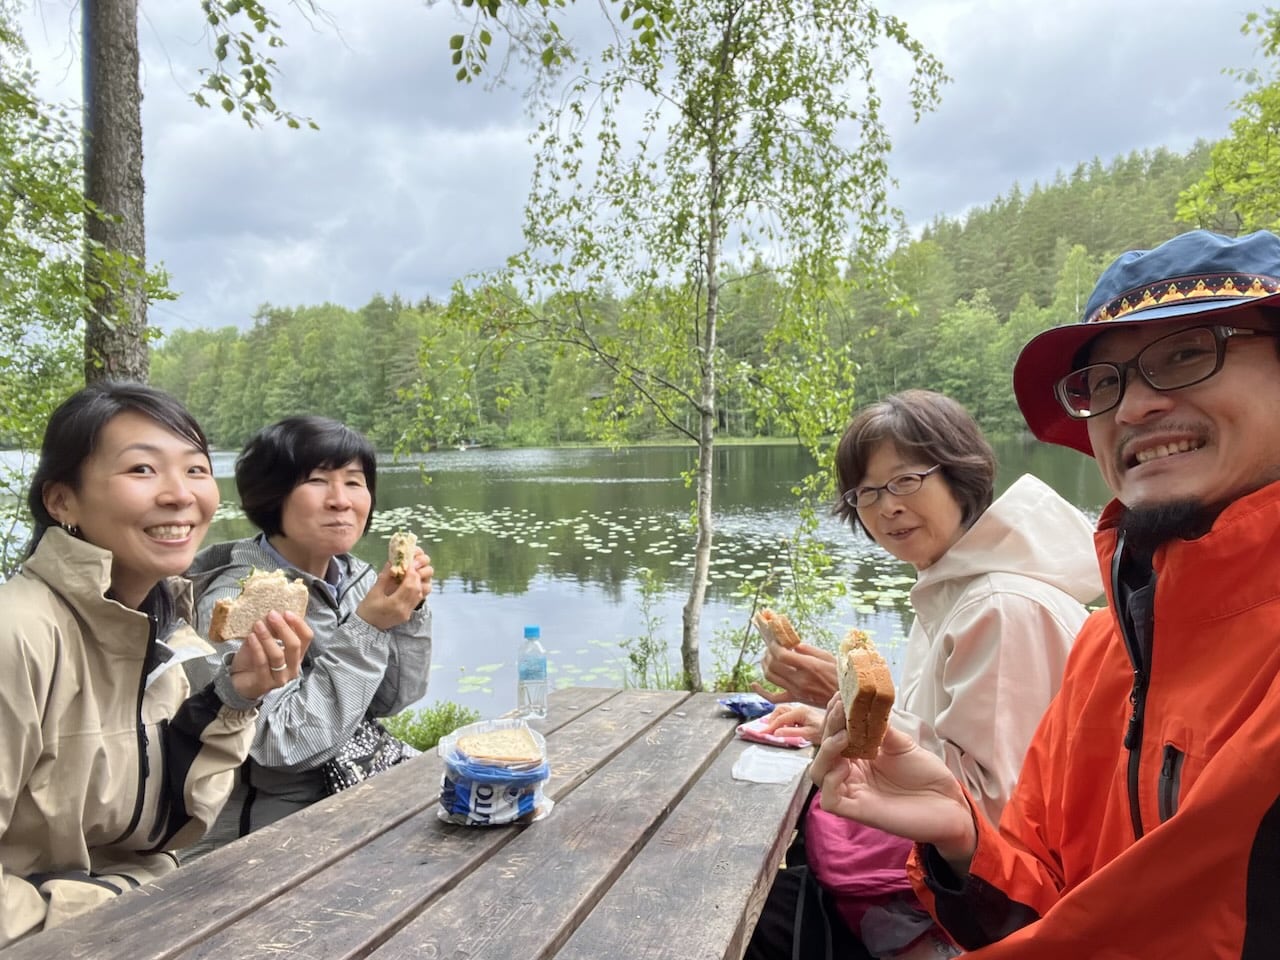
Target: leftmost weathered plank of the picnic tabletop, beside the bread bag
[240,877]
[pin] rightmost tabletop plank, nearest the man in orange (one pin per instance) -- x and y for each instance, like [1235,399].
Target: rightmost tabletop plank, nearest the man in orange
[697,889]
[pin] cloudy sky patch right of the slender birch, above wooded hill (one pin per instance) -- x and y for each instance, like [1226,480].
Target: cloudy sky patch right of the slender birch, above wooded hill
[1040,89]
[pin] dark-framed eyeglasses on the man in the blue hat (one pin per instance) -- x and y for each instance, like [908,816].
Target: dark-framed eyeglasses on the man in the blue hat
[1180,360]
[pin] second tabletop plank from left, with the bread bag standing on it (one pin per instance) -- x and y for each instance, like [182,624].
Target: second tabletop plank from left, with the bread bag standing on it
[354,906]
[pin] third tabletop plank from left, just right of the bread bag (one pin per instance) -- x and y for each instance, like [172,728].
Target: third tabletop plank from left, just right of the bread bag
[533,893]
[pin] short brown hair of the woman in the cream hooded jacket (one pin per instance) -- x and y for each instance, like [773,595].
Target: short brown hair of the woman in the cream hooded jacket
[930,427]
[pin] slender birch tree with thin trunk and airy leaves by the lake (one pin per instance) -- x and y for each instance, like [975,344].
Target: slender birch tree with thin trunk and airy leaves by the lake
[744,126]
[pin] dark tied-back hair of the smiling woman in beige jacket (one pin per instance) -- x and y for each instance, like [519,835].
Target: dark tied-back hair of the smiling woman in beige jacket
[74,432]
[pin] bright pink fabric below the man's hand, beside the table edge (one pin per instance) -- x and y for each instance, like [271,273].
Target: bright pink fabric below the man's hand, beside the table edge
[858,865]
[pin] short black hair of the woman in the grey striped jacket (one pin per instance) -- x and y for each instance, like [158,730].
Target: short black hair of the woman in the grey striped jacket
[284,455]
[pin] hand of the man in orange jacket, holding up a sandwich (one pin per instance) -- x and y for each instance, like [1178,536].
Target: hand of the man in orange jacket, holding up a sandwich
[906,790]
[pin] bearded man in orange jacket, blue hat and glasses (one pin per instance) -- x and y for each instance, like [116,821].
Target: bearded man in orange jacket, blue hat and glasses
[1146,822]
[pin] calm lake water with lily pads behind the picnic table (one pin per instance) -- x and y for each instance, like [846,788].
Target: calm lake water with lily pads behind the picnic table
[559,538]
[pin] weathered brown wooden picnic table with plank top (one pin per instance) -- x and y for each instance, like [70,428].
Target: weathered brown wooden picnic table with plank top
[652,852]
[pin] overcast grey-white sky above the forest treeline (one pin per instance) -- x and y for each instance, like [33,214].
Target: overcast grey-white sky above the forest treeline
[415,181]
